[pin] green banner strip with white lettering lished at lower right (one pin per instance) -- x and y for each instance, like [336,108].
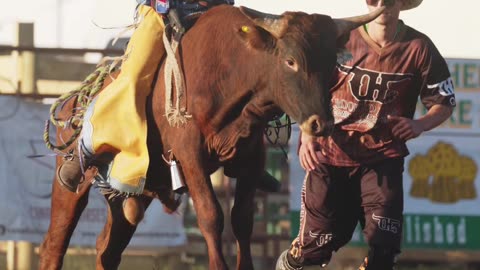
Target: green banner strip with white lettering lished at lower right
[426,231]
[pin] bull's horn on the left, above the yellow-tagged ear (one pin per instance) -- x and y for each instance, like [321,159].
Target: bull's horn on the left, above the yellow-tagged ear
[275,24]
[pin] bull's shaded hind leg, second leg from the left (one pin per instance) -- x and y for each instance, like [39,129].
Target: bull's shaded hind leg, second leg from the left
[115,235]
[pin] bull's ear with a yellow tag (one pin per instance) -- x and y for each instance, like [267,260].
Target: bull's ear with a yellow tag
[257,38]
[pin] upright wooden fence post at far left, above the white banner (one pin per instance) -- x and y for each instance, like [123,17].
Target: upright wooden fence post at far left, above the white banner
[26,59]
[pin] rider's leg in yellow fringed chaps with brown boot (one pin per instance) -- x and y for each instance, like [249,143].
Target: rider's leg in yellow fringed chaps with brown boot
[115,121]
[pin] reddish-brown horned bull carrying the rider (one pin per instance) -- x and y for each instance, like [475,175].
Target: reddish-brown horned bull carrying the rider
[241,67]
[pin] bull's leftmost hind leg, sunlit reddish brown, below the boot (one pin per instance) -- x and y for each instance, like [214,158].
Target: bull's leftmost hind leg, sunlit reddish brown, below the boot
[66,208]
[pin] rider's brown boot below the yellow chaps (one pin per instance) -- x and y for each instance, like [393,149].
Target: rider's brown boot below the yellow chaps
[70,172]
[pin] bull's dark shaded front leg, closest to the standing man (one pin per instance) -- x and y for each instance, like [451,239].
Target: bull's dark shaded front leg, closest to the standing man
[242,220]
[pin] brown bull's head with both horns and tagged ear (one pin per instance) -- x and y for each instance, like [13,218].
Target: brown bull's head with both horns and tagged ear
[304,47]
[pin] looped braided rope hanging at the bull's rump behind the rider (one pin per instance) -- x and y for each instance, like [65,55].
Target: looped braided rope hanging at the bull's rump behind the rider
[84,94]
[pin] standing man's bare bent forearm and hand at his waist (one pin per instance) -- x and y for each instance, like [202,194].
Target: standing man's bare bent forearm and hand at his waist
[407,129]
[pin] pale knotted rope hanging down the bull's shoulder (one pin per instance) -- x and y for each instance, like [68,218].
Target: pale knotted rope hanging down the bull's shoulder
[176,116]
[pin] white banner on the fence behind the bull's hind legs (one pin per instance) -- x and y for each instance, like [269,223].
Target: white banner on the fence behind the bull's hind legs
[25,187]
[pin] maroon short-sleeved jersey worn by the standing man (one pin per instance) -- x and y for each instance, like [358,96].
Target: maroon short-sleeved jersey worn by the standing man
[378,82]
